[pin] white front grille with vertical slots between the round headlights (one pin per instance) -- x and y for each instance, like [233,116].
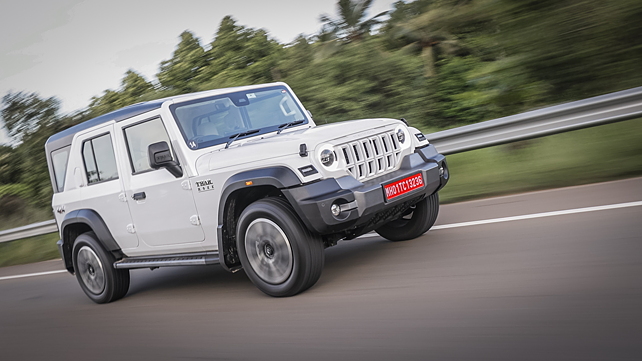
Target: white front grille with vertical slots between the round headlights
[369,157]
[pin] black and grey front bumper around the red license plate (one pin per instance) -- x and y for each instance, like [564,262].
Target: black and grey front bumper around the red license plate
[363,205]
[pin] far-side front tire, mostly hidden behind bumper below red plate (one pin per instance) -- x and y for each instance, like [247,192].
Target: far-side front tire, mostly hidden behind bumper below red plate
[417,221]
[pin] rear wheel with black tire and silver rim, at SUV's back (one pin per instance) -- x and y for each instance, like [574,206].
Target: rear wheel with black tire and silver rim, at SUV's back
[94,268]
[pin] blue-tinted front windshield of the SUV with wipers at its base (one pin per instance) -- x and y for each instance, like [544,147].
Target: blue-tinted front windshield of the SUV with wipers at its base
[215,120]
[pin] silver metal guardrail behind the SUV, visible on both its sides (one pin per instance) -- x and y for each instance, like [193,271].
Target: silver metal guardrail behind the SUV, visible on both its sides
[603,109]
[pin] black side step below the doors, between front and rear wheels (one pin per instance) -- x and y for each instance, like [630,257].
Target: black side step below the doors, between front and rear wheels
[184,259]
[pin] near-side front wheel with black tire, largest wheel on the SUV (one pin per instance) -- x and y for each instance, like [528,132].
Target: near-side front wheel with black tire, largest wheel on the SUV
[278,253]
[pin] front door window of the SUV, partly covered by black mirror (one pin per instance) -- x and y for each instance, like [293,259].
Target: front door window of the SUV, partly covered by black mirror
[139,137]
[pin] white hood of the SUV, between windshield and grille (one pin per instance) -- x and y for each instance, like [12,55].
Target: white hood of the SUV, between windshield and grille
[271,146]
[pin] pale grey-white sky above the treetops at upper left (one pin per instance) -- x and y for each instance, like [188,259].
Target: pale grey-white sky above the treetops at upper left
[76,49]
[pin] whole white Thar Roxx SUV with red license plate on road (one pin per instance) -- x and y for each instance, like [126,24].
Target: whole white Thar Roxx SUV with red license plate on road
[241,177]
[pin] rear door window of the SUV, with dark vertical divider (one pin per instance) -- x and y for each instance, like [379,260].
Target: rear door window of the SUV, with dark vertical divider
[100,162]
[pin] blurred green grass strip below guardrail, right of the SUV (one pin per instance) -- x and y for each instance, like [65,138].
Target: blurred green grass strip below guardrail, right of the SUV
[591,155]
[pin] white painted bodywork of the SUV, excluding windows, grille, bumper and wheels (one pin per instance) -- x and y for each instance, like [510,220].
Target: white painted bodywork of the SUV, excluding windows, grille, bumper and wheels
[177,215]
